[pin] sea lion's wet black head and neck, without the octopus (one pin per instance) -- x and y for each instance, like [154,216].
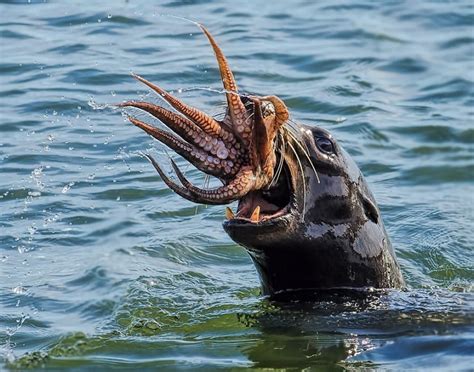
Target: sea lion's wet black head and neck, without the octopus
[333,237]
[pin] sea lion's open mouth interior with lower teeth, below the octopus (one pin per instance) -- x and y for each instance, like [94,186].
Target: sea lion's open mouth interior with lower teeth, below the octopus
[264,206]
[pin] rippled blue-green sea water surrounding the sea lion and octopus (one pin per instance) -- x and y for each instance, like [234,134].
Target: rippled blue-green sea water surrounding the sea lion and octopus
[102,266]
